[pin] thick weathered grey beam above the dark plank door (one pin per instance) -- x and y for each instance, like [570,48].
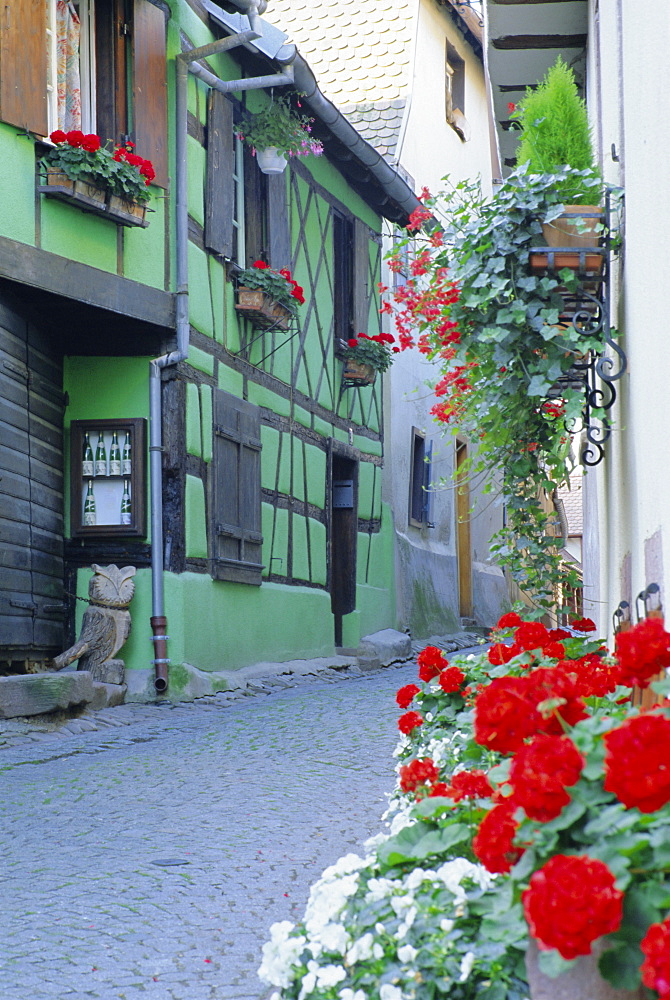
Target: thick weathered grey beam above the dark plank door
[39,269]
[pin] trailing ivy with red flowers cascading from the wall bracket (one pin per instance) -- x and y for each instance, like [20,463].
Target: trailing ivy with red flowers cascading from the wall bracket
[472,304]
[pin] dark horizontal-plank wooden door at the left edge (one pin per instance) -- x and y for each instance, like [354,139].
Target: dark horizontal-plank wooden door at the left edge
[32,609]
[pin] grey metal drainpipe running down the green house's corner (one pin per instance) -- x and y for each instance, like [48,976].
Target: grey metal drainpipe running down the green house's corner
[185,62]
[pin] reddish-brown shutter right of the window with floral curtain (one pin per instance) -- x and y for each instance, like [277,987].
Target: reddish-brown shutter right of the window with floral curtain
[150,86]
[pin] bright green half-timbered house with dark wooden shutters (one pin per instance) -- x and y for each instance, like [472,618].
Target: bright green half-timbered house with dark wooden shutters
[251,476]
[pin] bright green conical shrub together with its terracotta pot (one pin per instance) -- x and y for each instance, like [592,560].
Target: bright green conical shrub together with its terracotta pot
[555,133]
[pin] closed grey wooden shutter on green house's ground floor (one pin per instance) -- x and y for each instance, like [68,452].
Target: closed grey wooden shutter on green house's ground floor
[236,503]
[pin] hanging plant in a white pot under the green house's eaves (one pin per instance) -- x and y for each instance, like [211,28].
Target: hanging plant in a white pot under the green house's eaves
[278,131]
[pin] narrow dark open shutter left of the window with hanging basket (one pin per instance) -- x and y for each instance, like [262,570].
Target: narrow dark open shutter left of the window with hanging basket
[220,190]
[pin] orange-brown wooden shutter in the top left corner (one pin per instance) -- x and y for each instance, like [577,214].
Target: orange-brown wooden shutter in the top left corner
[23,65]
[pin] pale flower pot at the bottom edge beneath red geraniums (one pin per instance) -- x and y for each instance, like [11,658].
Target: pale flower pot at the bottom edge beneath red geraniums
[582,982]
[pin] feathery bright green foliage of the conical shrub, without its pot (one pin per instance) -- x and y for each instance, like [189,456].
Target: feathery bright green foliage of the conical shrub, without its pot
[555,131]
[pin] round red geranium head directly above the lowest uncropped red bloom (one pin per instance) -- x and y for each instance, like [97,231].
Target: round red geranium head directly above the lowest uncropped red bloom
[540,772]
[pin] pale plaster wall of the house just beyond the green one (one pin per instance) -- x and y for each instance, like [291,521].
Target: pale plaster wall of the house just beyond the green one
[429,149]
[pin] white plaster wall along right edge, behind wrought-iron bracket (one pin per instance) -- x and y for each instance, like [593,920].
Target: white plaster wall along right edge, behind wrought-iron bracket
[628,498]
